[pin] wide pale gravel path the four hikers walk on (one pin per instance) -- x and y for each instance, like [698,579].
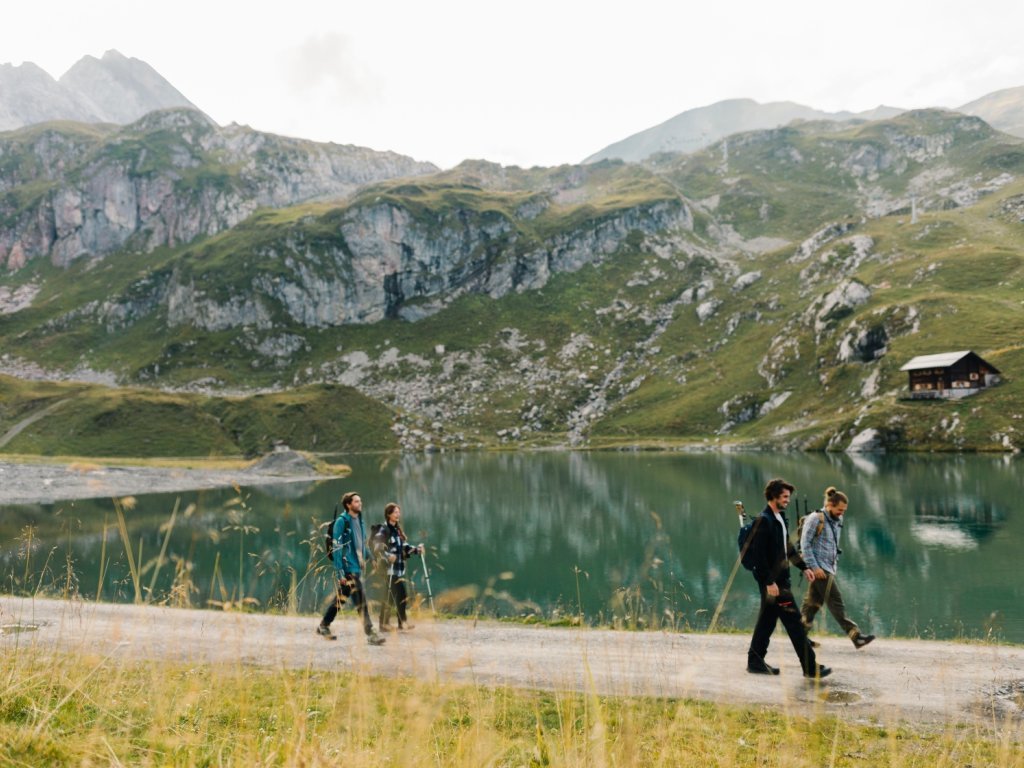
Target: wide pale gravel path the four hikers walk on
[890,681]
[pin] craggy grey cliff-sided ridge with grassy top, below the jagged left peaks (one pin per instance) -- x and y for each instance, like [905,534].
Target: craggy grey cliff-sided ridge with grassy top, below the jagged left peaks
[164,181]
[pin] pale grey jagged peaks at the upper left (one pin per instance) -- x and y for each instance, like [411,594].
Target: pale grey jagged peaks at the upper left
[112,90]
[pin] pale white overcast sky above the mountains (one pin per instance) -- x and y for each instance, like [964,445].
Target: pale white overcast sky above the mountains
[528,82]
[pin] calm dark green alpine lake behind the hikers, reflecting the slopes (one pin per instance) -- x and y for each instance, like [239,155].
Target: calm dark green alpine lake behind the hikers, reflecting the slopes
[632,540]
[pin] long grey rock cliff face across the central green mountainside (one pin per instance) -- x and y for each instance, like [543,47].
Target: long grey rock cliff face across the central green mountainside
[385,263]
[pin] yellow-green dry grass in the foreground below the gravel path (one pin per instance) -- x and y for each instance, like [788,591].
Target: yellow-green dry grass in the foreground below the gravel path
[64,710]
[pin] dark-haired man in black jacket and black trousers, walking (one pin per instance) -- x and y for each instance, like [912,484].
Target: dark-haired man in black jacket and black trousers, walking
[772,551]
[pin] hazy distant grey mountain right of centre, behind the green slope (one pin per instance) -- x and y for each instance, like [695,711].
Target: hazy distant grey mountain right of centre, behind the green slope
[696,130]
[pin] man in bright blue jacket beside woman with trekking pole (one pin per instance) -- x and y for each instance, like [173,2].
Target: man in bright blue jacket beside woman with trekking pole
[350,554]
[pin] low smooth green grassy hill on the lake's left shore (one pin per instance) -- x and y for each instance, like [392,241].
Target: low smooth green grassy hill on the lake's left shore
[91,420]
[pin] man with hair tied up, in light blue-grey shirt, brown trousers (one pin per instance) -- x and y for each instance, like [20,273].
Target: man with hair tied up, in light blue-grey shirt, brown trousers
[820,544]
